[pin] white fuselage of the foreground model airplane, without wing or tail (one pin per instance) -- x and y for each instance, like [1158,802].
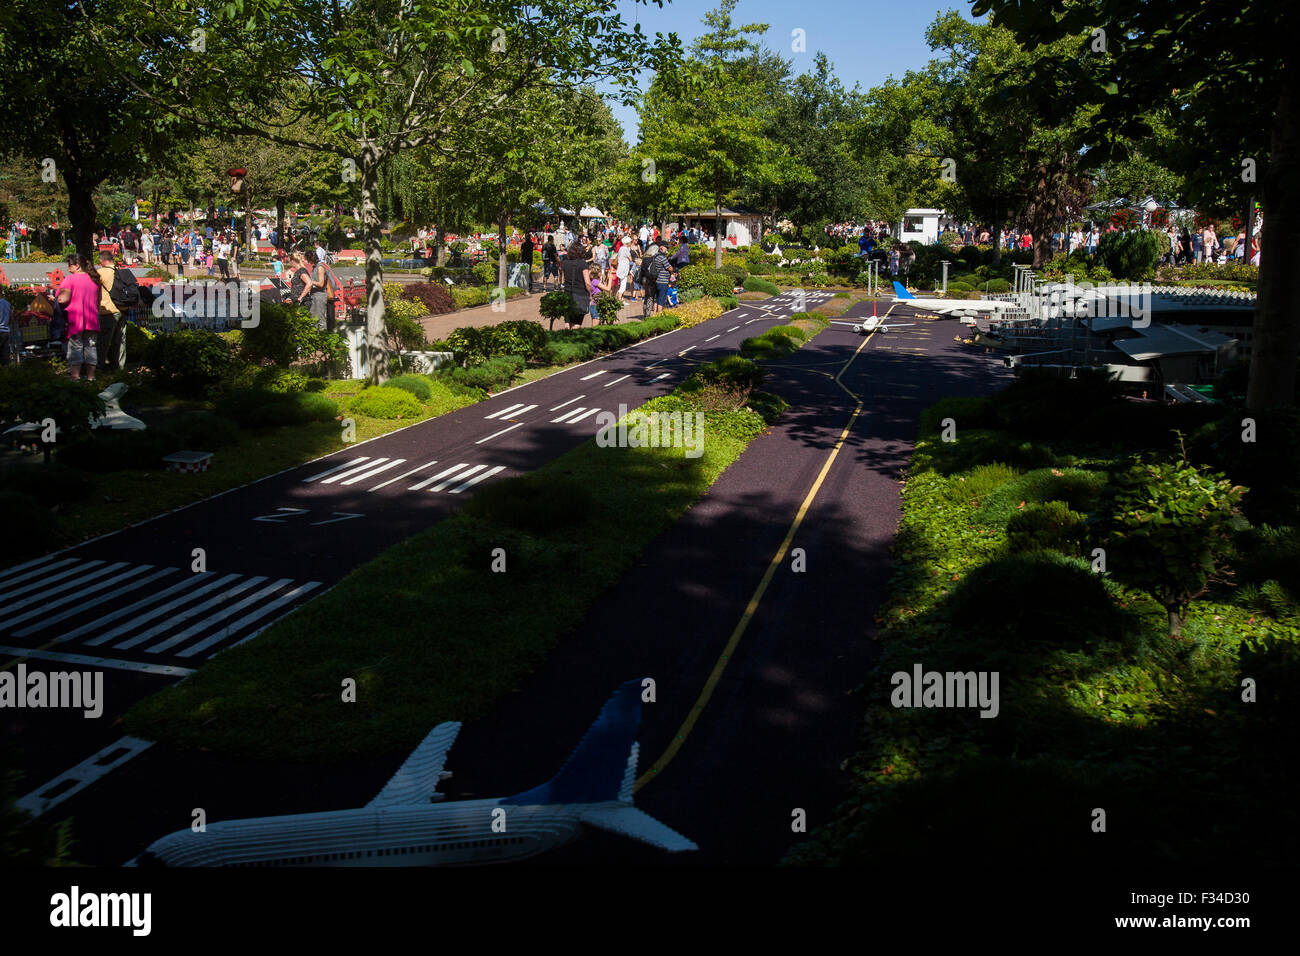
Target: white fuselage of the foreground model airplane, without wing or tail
[467,832]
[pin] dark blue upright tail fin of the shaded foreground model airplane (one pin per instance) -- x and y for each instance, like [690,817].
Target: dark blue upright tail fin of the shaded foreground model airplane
[599,769]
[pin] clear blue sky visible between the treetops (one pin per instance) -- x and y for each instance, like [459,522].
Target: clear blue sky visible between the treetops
[866,41]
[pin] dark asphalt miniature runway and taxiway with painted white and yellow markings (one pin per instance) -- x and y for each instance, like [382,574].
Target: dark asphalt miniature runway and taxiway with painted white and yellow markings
[785,713]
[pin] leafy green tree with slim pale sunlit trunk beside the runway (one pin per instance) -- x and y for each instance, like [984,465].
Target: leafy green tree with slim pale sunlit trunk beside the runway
[367,81]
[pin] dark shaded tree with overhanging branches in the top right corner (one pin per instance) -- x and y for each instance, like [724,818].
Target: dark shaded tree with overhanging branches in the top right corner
[1229,77]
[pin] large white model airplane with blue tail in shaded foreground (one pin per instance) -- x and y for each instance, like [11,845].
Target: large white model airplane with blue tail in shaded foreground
[400,828]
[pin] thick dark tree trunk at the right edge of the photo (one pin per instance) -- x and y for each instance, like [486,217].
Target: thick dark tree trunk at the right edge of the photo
[1277,314]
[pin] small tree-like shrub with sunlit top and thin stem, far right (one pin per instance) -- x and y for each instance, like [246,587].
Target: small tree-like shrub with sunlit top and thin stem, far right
[1169,526]
